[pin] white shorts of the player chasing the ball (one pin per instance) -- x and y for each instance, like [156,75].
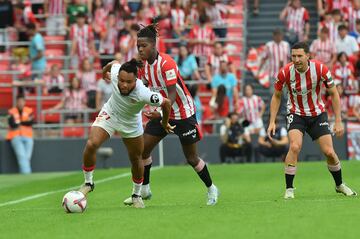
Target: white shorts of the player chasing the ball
[110,123]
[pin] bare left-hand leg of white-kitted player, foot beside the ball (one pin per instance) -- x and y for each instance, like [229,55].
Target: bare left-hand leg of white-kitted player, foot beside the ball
[97,136]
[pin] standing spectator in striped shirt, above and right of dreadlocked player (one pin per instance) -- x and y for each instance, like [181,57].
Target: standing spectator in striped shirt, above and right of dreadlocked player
[201,39]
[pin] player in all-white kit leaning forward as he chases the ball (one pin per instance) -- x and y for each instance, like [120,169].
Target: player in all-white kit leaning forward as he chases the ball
[122,113]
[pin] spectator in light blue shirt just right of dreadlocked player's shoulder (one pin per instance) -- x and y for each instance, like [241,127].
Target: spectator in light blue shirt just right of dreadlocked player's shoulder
[187,64]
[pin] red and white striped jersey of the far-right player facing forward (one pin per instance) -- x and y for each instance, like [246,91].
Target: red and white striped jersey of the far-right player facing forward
[304,89]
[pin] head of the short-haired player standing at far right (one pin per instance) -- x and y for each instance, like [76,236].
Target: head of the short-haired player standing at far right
[300,56]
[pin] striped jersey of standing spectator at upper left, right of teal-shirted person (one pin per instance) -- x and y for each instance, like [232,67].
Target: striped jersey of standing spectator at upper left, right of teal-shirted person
[82,37]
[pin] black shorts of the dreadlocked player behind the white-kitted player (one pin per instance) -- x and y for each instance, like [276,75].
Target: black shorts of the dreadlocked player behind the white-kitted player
[187,130]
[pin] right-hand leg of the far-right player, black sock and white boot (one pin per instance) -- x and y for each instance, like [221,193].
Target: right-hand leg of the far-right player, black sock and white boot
[334,165]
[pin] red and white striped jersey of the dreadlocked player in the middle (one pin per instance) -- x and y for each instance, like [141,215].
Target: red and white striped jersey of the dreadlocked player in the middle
[164,72]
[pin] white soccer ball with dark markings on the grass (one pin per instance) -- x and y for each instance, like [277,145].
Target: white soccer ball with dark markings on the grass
[74,201]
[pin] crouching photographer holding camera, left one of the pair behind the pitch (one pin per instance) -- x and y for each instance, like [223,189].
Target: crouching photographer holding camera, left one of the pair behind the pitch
[235,139]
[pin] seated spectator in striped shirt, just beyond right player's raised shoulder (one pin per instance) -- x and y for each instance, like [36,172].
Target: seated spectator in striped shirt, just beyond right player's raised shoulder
[344,74]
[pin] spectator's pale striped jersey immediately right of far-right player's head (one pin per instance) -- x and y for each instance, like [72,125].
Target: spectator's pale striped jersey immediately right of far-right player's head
[323,50]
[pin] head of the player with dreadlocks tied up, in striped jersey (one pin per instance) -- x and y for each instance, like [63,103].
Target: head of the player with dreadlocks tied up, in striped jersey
[146,42]
